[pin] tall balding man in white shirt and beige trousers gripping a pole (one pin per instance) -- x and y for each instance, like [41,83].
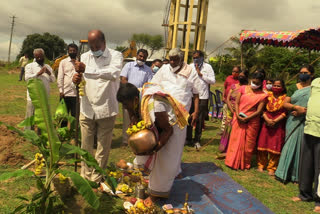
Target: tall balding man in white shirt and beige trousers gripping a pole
[99,106]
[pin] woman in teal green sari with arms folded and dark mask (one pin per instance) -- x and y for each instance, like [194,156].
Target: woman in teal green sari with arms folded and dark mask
[296,105]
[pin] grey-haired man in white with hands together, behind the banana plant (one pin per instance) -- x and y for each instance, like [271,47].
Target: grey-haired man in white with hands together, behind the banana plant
[38,69]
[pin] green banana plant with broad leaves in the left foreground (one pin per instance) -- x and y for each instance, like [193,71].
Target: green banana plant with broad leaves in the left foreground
[53,151]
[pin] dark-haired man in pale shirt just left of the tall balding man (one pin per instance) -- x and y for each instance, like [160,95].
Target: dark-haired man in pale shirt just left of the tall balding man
[65,74]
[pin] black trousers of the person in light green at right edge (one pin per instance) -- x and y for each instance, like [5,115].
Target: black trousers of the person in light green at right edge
[309,169]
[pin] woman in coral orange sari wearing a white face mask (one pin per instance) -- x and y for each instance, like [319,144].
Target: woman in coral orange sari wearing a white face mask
[250,103]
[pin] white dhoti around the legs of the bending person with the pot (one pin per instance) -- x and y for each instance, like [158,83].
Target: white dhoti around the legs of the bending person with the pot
[165,165]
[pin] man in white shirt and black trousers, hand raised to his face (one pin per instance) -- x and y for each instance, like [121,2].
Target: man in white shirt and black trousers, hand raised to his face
[206,75]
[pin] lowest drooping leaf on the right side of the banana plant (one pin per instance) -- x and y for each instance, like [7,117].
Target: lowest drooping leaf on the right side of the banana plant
[83,187]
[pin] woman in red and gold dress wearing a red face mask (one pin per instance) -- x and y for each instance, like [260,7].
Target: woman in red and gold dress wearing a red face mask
[272,134]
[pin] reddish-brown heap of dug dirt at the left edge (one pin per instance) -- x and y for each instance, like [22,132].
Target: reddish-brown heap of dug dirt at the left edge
[10,143]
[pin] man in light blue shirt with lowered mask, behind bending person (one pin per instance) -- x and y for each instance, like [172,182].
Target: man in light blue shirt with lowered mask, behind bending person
[136,73]
